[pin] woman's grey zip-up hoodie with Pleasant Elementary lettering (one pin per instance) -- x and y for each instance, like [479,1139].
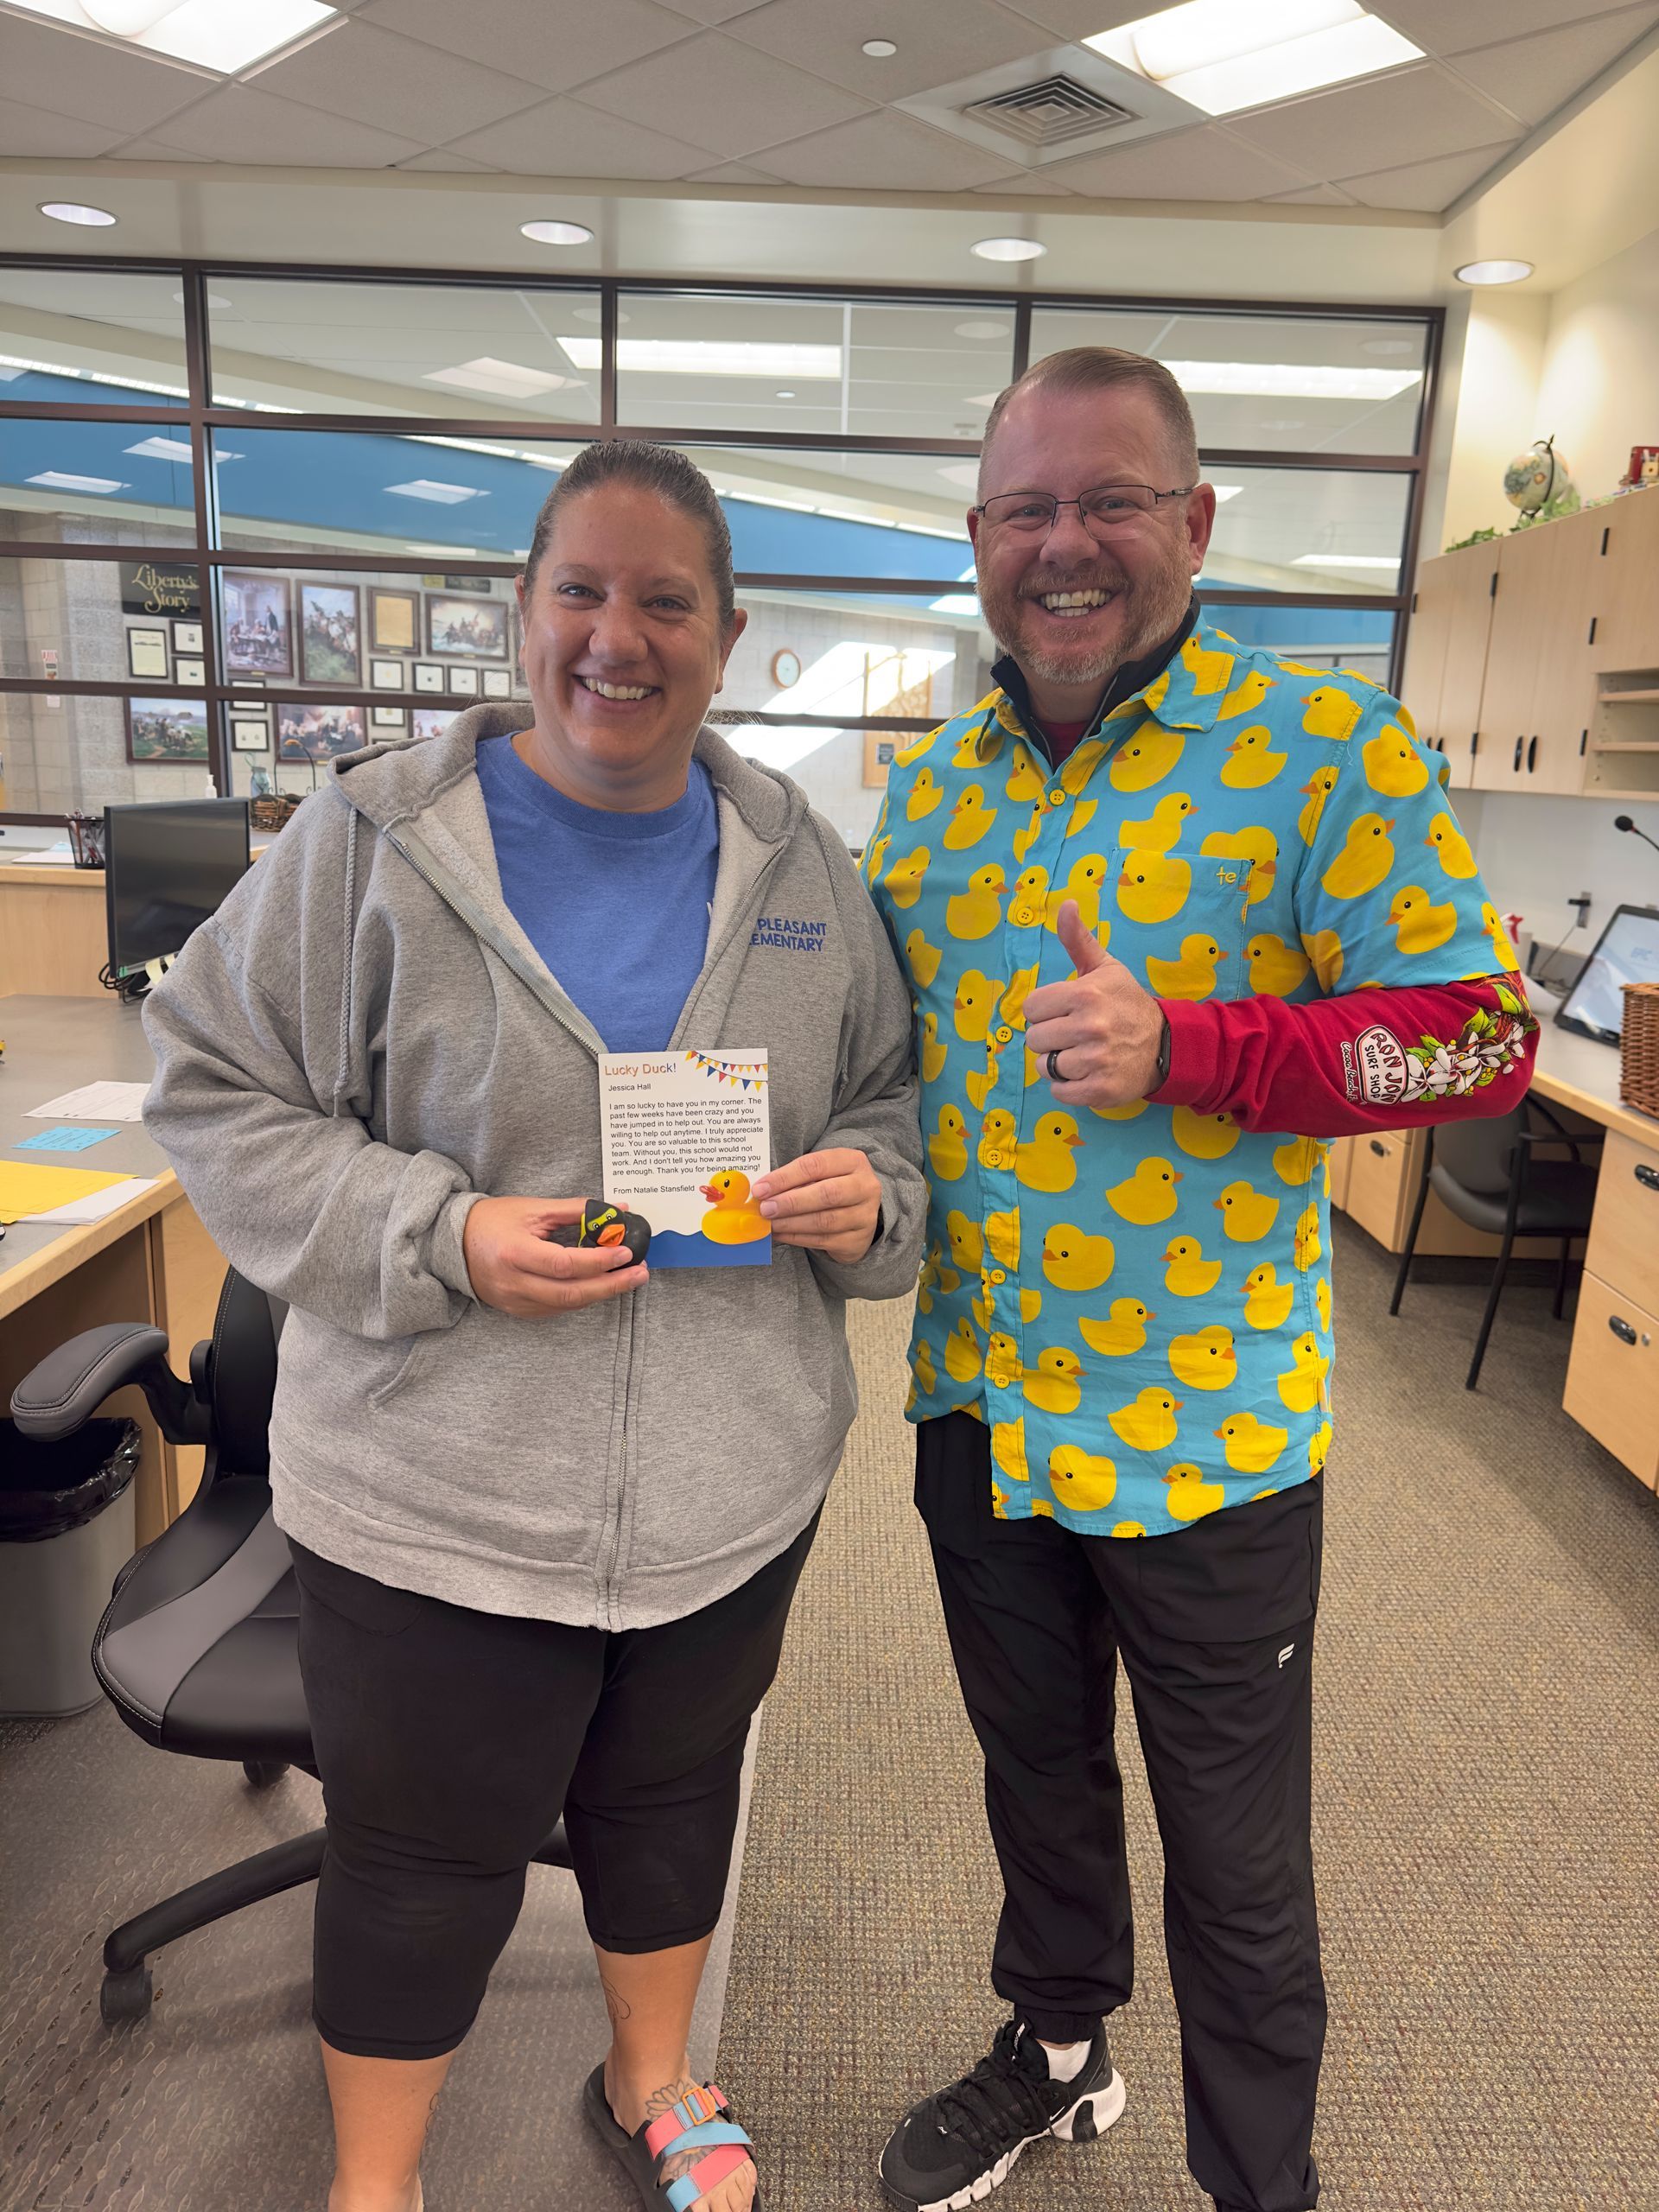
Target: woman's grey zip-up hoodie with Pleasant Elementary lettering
[364,1041]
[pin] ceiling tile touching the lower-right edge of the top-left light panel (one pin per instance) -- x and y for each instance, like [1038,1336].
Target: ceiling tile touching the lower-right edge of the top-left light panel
[397,85]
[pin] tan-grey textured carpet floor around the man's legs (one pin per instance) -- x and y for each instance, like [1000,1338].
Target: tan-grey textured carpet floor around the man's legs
[1485,1813]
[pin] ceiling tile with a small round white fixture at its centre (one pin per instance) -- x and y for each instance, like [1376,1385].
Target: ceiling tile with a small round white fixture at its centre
[939,41]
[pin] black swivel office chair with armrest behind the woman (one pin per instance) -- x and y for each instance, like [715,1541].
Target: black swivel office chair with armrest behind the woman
[200,1645]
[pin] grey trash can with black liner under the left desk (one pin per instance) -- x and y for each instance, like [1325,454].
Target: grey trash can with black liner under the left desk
[65,1534]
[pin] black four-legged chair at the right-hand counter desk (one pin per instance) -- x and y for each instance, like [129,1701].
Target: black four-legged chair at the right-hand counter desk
[1488,1173]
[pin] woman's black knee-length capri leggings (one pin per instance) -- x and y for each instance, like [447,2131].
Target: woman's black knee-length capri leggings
[450,1742]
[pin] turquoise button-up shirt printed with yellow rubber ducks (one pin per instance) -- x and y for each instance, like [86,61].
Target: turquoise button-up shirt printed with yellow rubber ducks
[1138,1302]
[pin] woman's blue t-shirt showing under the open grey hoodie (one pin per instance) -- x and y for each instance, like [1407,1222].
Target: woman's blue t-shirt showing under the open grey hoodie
[614,904]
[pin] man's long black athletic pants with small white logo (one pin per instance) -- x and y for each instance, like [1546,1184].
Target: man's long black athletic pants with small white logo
[1215,1627]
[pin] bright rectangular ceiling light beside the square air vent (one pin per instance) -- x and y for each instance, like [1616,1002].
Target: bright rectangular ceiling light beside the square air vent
[1222,56]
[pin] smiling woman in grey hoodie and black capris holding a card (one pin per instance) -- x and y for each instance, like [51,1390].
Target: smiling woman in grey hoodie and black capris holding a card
[547,1514]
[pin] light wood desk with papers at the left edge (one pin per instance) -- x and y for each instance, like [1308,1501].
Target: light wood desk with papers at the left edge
[147,1262]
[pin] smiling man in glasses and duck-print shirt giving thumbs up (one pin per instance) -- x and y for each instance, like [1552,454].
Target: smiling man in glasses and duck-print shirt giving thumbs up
[1176,912]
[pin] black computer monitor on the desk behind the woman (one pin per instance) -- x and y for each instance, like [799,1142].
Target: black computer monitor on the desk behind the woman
[169,866]
